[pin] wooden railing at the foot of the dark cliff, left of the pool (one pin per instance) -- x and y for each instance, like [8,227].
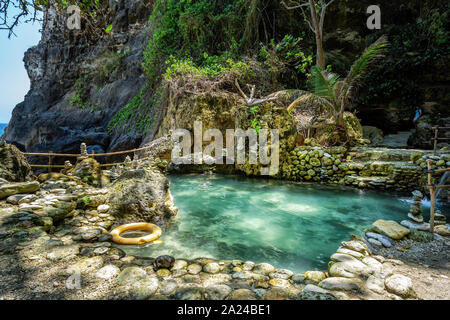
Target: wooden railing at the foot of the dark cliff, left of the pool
[51,155]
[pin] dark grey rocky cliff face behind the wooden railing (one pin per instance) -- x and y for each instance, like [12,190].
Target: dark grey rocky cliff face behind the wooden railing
[78,84]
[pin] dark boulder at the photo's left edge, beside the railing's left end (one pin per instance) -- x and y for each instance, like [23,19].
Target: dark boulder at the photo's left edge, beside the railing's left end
[13,165]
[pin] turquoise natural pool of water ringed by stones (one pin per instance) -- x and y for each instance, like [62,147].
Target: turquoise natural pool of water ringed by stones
[290,225]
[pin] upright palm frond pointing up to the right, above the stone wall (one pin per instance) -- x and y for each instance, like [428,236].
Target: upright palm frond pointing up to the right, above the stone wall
[361,66]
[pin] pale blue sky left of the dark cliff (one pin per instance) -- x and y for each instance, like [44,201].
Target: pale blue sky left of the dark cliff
[14,82]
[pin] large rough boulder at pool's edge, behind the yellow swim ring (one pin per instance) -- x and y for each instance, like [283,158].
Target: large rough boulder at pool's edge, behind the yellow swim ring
[141,195]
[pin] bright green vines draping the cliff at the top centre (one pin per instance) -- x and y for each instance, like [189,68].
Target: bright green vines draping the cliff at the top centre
[199,33]
